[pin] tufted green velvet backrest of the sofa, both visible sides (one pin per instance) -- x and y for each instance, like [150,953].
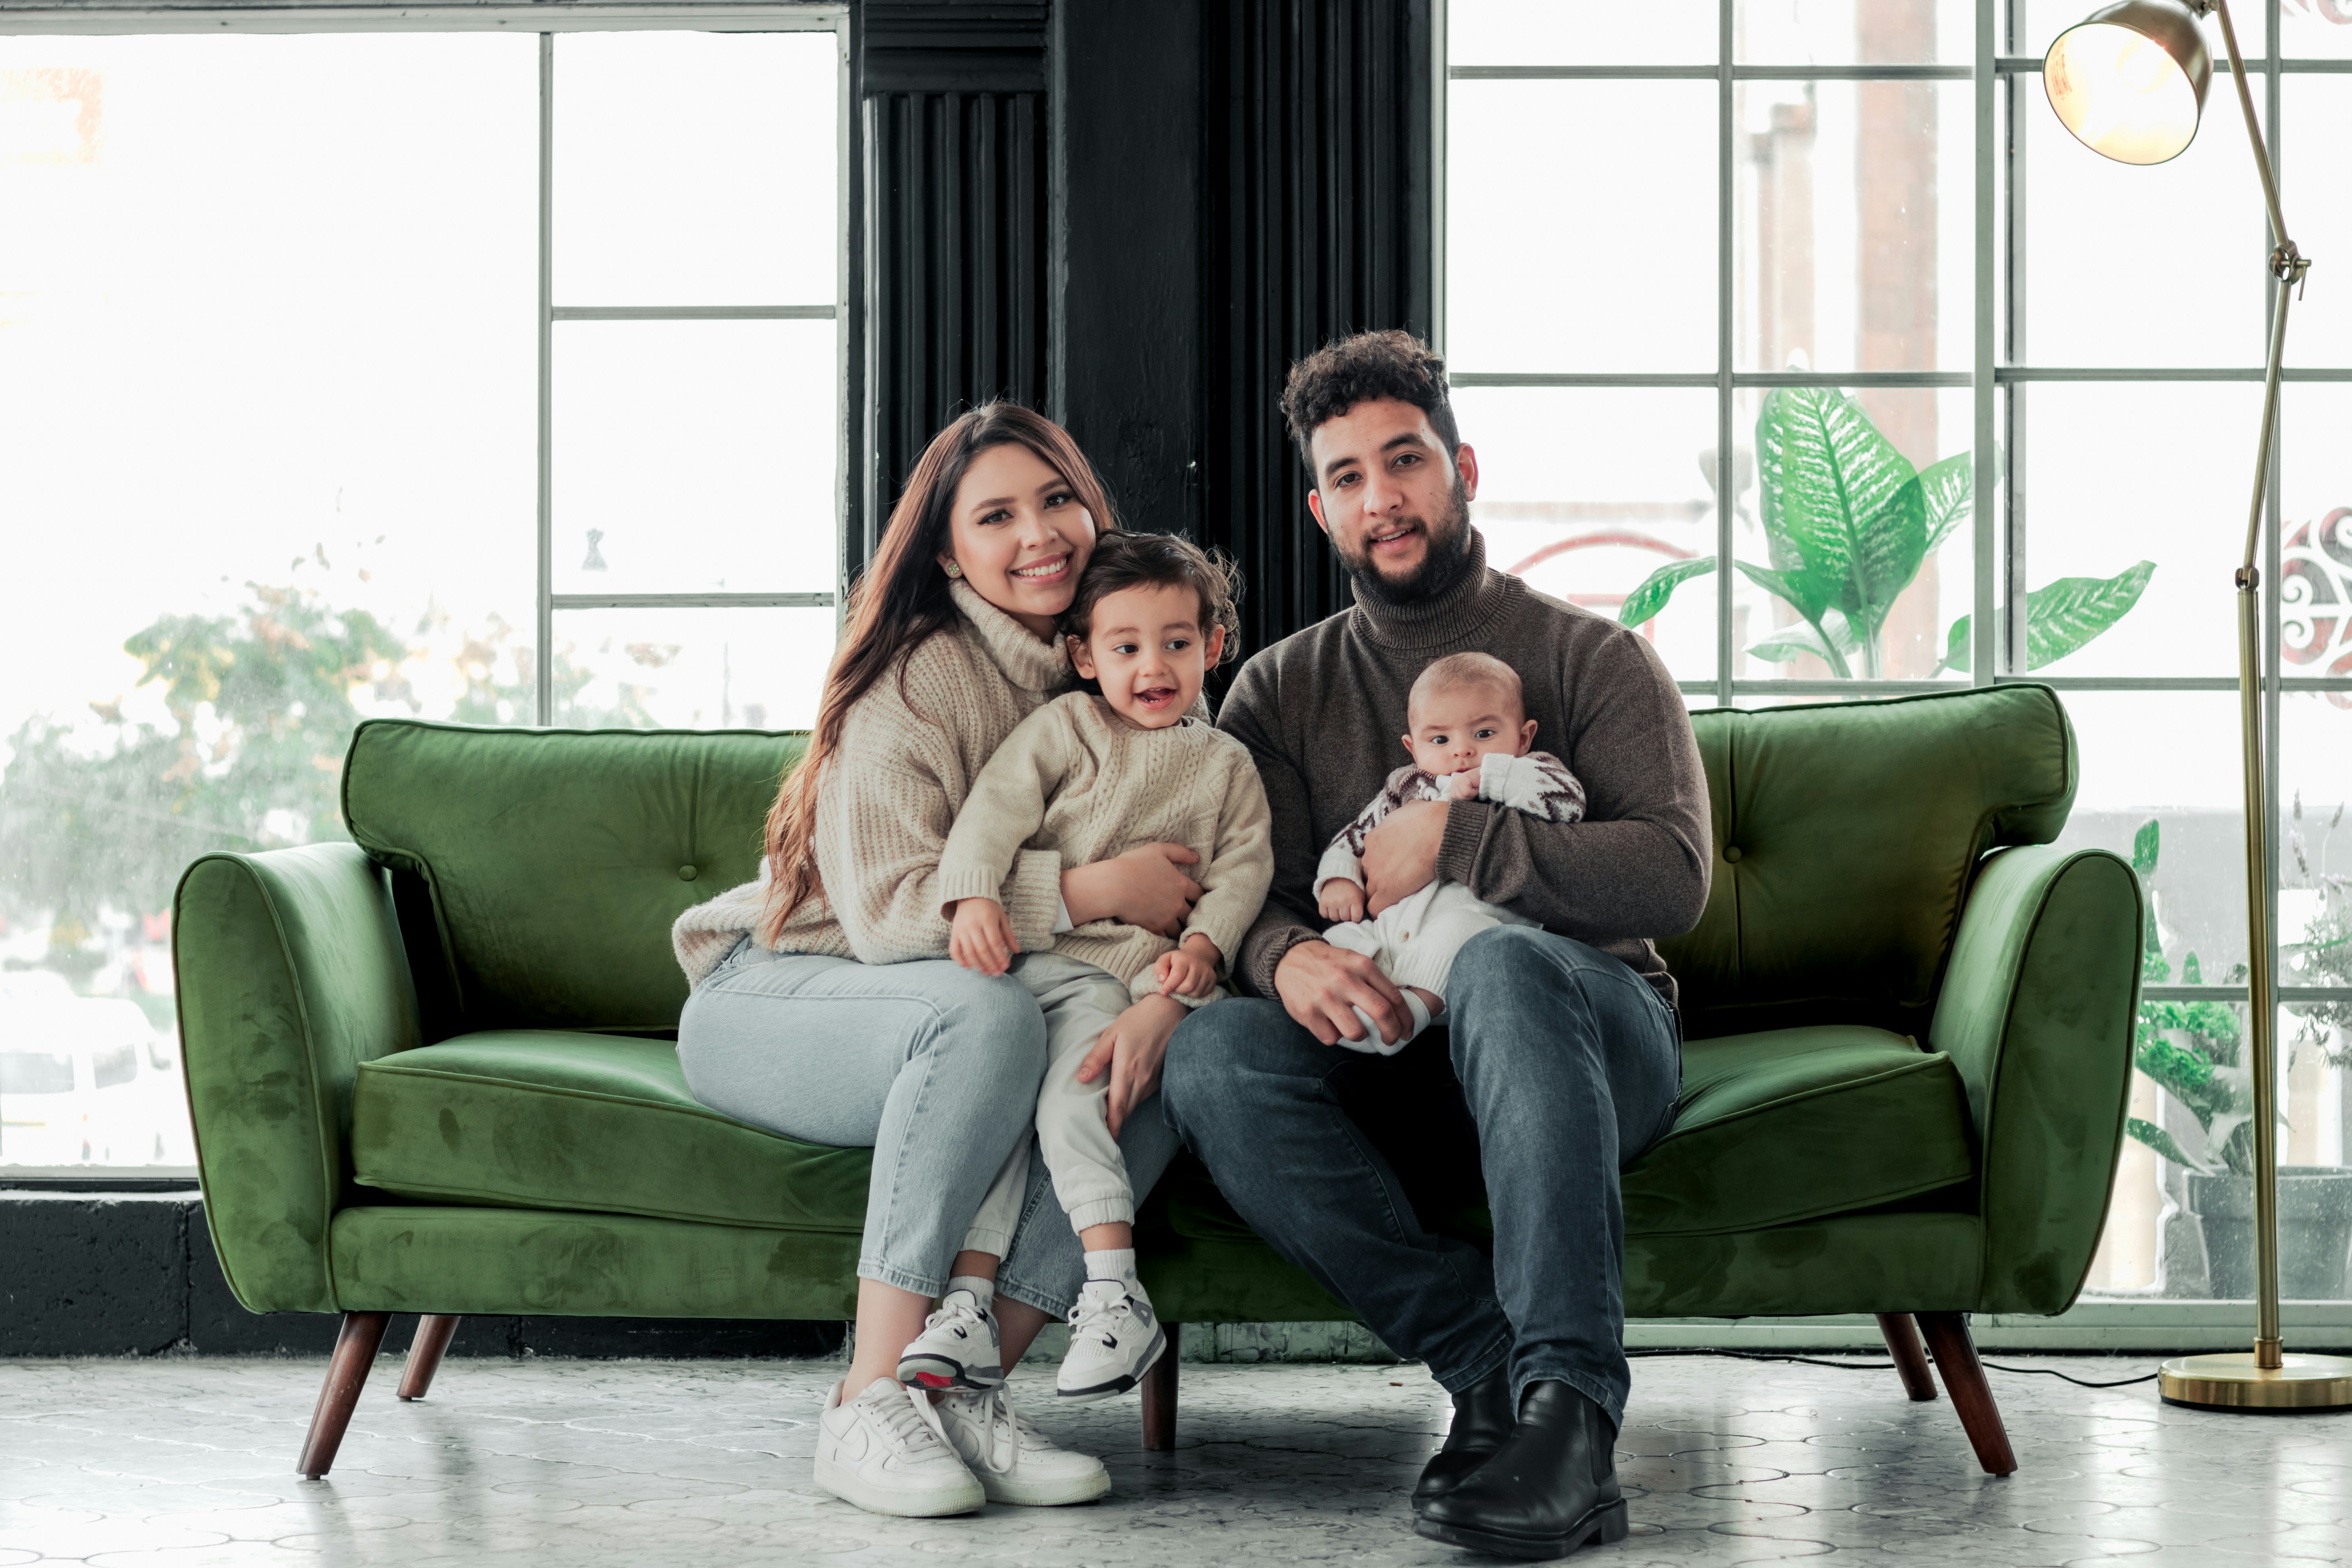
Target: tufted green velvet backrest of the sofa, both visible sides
[537,873]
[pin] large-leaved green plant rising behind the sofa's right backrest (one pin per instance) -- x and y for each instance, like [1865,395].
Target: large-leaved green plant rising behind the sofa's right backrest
[1847,525]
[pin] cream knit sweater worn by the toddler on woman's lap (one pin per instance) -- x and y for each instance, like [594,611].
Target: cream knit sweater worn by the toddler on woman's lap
[1081,779]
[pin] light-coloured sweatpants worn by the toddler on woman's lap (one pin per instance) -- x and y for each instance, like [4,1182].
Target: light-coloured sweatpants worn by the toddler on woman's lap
[1074,1125]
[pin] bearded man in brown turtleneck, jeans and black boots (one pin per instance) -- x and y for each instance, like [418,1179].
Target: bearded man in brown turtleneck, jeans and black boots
[1561,1057]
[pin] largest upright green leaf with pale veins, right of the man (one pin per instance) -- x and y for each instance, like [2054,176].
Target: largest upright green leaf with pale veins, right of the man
[1843,509]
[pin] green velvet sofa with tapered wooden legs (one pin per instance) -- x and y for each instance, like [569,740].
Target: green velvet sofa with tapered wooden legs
[432,1071]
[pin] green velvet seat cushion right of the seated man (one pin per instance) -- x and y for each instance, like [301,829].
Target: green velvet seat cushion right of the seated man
[1775,1130]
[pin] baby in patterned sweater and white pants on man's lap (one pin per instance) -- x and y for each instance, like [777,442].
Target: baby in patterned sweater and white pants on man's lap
[1471,742]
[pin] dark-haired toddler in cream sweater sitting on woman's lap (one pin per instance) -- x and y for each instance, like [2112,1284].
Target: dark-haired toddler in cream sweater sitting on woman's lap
[1093,777]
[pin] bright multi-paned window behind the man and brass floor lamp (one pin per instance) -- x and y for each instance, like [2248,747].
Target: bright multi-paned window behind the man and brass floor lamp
[1676,229]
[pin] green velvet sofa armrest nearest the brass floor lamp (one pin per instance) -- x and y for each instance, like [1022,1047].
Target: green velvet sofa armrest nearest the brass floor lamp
[2038,1014]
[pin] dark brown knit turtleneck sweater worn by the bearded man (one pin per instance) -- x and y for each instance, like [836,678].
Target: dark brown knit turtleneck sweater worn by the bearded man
[1323,711]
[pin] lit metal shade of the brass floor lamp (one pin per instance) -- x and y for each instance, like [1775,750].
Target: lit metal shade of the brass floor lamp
[2130,81]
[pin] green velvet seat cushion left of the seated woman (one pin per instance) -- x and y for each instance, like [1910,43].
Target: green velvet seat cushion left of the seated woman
[592,1123]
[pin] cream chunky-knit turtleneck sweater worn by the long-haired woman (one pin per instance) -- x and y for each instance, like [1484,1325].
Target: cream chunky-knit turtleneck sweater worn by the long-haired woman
[904,768]
